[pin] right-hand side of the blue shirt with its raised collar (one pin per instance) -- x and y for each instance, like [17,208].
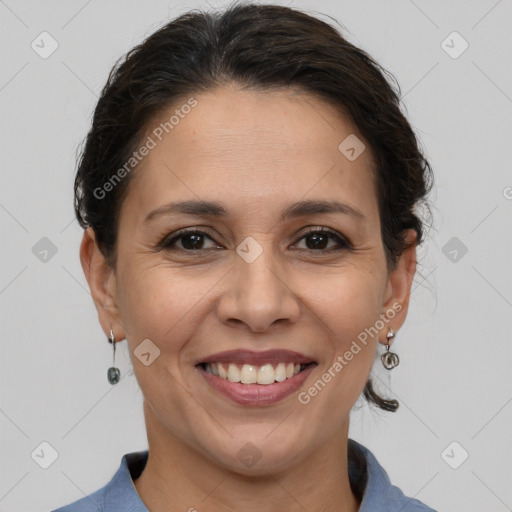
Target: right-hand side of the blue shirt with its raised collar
[378,493]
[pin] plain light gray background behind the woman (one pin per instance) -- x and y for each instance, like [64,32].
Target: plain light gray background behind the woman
[454,380]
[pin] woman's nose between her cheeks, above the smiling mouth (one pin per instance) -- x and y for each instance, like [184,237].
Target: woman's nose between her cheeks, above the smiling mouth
[258,294]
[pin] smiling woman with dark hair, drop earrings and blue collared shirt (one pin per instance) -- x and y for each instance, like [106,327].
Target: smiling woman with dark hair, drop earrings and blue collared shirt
[248,193]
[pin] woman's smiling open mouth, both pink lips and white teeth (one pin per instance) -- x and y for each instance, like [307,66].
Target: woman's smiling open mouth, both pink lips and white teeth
[256,378]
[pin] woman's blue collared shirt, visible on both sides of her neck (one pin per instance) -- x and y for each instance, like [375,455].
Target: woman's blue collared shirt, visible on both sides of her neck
[368,479]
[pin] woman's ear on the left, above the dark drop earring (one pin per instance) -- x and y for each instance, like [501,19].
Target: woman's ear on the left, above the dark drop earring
[102,283]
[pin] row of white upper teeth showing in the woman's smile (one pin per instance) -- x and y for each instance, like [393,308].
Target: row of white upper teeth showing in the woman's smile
[250,374]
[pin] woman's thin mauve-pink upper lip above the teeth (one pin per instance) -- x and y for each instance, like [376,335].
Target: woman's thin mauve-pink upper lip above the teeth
[241,356]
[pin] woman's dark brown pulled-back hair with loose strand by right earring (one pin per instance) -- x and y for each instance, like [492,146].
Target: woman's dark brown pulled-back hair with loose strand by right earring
[261,47]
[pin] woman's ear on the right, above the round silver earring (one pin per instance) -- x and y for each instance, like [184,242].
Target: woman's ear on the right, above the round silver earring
[398,288]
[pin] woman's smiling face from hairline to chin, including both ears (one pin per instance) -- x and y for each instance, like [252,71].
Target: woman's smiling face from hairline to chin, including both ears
[267,267]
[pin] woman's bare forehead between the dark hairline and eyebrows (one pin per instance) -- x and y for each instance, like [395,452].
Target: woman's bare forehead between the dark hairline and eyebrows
[250,146]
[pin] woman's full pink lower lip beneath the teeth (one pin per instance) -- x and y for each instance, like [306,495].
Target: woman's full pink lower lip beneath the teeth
[256,394]
